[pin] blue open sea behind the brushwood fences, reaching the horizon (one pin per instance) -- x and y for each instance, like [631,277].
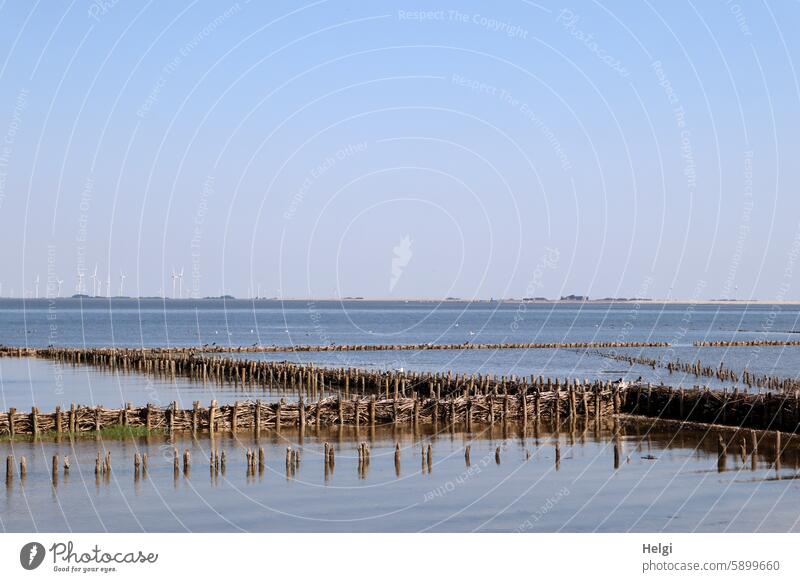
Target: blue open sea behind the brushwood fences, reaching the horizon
[157,322]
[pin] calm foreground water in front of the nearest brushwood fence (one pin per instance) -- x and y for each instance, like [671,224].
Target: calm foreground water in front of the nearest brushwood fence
[667,481]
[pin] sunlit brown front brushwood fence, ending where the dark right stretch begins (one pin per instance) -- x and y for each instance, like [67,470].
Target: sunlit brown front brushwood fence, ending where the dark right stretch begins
[593,400]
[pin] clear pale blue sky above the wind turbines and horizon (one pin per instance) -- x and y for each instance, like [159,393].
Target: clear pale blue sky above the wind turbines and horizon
[401,149]
